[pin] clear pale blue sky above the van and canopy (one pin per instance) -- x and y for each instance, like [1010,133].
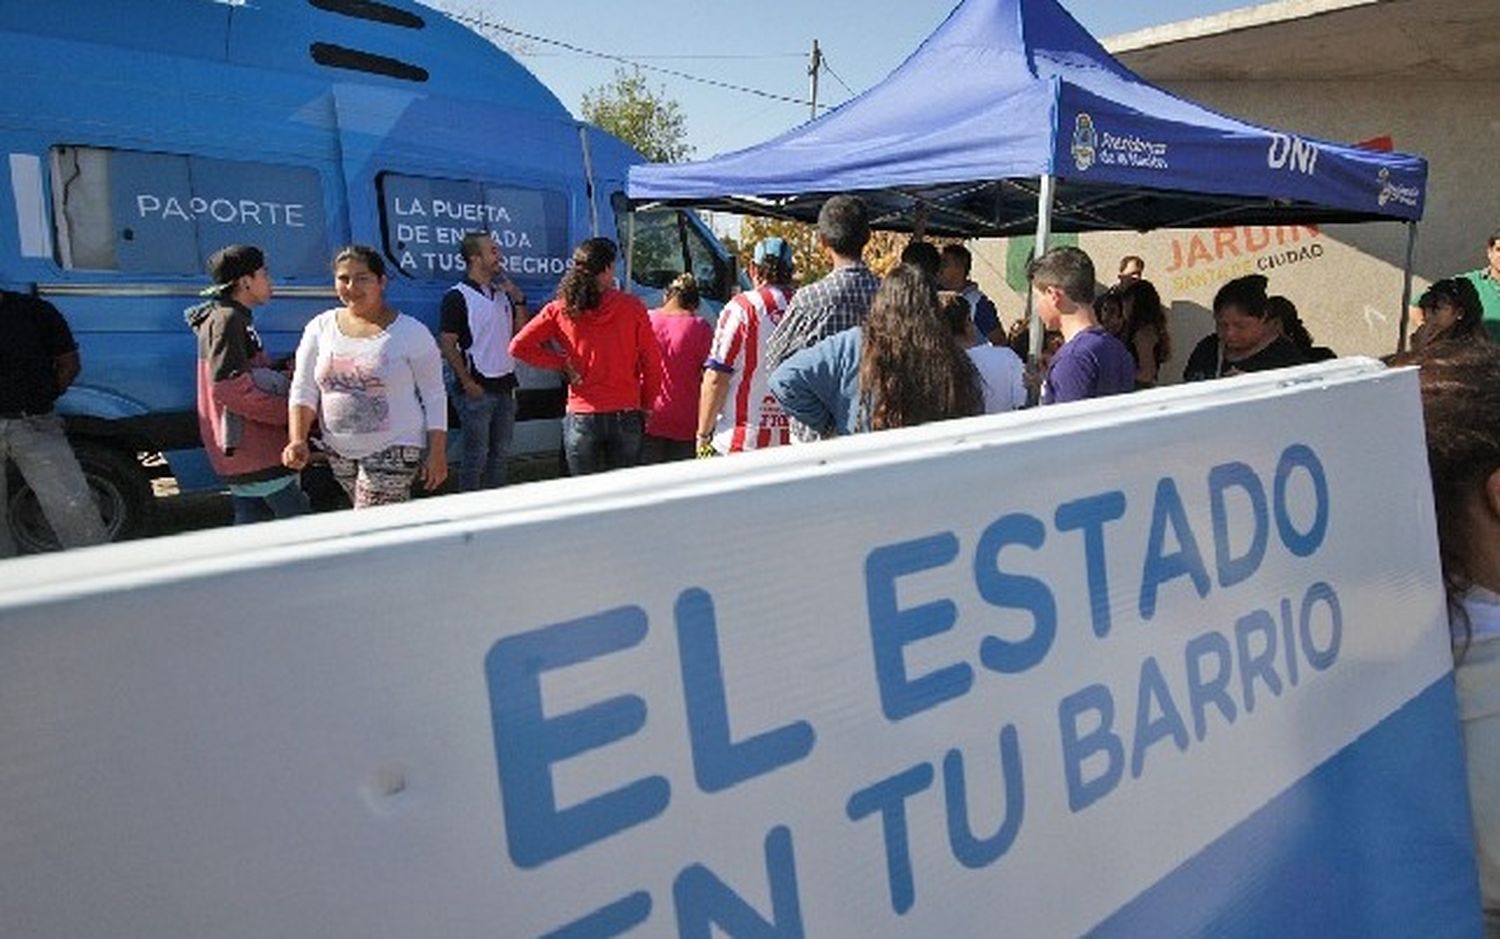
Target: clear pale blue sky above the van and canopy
[761,46]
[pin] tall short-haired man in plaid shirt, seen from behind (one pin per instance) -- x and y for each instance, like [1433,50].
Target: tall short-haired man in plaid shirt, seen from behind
[838,302]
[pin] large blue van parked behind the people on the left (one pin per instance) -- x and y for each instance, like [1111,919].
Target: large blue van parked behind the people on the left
[142,136]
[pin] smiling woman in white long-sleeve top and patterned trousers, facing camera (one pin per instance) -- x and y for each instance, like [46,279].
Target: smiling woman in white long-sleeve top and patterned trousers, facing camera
[373,379]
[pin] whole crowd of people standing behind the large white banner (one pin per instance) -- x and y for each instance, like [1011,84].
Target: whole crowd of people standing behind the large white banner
[850,353]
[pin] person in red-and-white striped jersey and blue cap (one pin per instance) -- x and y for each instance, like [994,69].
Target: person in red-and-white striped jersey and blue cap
[737,410]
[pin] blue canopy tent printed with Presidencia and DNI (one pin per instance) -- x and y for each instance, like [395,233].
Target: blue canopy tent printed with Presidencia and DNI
[1012,119]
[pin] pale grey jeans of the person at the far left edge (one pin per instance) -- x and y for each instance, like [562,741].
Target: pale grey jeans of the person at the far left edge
[46,460]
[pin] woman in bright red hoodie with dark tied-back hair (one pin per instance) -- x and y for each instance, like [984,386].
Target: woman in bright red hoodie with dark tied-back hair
[601,338]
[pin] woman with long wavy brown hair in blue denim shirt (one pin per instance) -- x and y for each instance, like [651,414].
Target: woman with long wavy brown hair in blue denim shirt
[901,370]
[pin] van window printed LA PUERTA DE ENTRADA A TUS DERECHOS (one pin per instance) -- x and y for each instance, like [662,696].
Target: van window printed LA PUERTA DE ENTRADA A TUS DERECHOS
[424,223]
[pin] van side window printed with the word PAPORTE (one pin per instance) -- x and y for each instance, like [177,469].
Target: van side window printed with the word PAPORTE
[164,214]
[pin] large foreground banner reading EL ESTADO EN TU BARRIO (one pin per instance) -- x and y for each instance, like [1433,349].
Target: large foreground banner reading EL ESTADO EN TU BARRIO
[1006,676]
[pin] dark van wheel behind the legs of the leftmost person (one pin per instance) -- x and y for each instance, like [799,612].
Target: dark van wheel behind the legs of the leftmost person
[119,487]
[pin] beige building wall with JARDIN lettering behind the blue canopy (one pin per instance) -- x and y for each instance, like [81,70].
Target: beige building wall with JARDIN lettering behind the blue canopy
[1346,280]
